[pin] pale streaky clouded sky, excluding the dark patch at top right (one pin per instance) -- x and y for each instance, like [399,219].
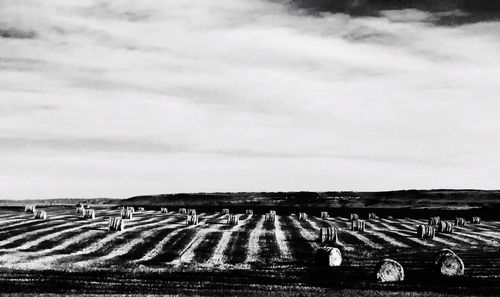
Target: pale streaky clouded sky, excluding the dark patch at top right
[105,98]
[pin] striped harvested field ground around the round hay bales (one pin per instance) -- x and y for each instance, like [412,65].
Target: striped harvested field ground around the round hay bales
[160,253]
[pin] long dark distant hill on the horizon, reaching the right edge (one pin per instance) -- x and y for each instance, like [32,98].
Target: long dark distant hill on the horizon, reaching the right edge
[441,199]
